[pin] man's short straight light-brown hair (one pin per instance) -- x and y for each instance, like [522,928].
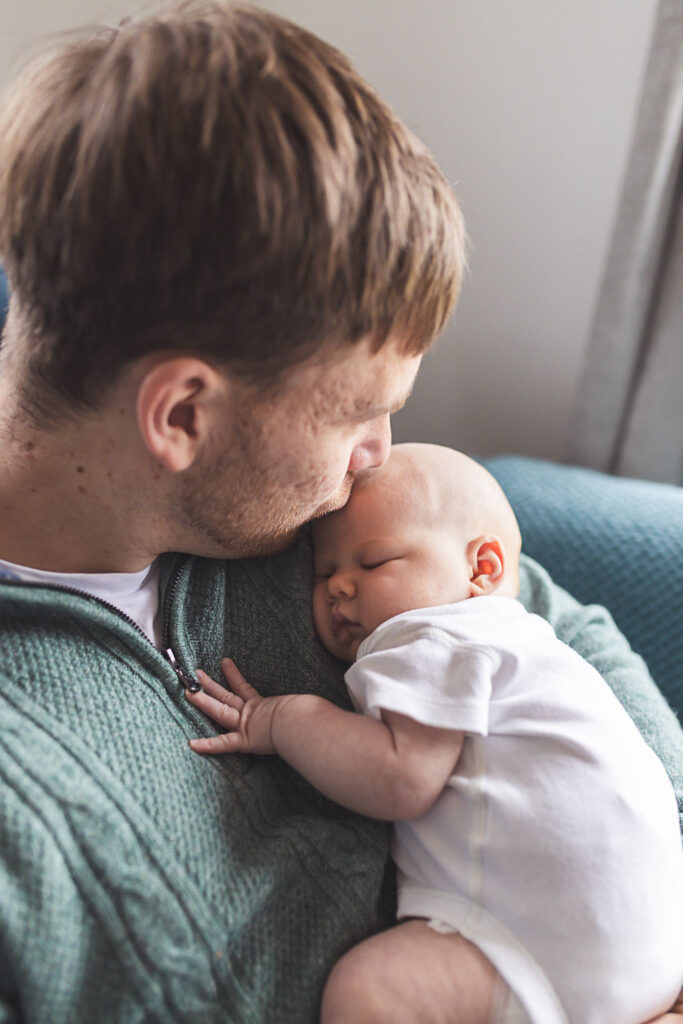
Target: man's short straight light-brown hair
[215,180]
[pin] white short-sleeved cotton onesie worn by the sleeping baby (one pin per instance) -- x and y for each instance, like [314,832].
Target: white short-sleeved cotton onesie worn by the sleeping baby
[556,846]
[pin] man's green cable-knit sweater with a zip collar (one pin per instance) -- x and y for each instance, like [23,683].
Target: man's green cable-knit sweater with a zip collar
[140,882]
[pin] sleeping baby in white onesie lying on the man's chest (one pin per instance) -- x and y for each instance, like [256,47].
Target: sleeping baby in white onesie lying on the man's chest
[536,835]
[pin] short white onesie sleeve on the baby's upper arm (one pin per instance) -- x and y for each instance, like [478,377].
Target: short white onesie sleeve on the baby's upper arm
[426,674]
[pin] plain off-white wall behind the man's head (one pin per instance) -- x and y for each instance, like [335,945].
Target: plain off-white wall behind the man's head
[529,108]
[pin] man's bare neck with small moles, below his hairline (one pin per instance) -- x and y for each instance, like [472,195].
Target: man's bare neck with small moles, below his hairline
[70,500]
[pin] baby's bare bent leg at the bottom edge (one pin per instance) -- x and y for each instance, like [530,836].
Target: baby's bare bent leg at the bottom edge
[413,975]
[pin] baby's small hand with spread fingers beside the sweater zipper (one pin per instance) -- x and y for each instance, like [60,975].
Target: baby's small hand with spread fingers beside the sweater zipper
[241,710]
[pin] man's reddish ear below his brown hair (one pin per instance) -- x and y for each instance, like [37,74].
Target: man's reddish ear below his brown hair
[178,405]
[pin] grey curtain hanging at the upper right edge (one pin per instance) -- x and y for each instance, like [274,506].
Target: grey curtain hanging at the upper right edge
[629,414]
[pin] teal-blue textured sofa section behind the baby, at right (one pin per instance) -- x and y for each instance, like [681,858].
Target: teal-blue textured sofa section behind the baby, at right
[614,542]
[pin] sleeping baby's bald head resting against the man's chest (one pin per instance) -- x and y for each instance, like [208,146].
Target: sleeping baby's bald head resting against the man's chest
[432,527]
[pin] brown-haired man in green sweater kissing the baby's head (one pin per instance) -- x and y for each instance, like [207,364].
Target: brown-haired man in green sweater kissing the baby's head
[227,259]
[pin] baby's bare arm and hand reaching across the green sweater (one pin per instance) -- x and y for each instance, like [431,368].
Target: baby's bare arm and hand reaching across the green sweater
[394,769]
